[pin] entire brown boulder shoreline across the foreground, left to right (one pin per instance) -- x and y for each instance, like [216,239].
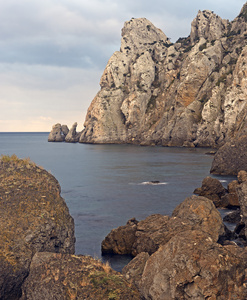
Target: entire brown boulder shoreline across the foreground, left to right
[190,254]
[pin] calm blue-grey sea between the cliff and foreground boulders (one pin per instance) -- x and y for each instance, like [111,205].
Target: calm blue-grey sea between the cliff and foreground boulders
[106,185]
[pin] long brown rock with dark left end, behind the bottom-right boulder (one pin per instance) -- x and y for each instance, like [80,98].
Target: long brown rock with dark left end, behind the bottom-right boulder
[156,230]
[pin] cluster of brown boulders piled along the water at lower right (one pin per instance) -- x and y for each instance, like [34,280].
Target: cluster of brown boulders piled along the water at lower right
[192,254]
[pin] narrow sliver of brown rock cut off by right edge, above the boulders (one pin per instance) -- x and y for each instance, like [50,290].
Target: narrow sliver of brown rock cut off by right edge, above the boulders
[242,194]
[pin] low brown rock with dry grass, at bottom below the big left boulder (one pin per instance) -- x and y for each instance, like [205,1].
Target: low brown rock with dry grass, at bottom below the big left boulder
[64,276]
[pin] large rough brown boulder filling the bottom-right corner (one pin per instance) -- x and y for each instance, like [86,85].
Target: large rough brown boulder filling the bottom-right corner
[192,266]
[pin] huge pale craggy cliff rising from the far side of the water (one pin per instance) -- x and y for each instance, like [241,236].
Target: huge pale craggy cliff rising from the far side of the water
[190,93]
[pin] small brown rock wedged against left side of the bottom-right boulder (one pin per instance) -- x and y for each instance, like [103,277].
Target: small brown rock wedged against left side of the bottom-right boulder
[133,271]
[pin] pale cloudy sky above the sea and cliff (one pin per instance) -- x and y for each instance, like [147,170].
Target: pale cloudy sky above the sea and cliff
[53,52]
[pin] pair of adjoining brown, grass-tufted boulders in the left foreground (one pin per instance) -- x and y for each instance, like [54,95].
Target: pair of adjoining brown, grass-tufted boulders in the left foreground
[37,246]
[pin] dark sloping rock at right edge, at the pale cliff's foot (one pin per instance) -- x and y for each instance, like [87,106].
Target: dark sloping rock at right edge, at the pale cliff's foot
[231,157]
